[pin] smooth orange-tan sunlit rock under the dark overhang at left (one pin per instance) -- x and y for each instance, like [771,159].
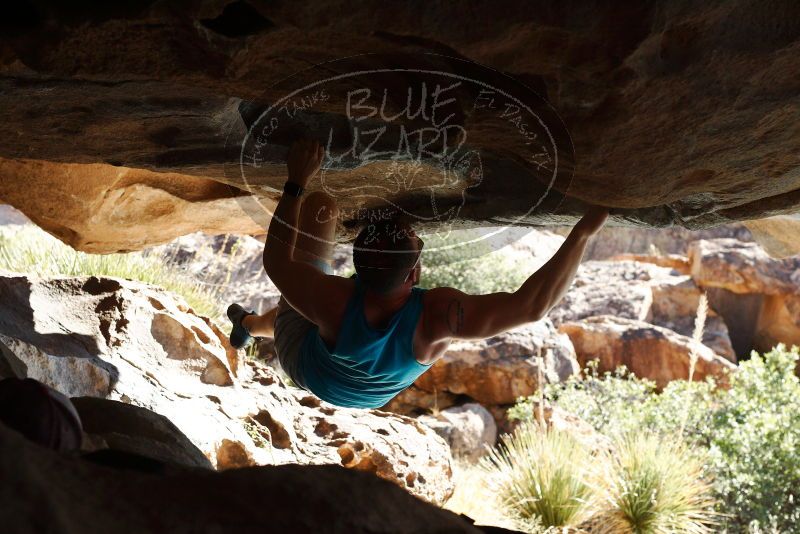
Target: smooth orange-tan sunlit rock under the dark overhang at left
[105,208]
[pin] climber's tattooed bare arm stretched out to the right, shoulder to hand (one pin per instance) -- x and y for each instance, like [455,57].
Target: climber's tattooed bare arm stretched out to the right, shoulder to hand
[457,315]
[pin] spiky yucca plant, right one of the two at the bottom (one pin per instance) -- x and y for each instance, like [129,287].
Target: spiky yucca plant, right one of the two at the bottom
[654,485]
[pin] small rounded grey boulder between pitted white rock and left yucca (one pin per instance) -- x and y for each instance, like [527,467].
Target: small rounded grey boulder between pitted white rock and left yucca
[469,429]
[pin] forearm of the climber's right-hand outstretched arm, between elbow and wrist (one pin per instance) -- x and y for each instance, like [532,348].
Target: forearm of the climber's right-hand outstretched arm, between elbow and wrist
[547,286]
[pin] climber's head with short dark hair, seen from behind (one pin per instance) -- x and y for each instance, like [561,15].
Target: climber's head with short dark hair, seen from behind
[384,253]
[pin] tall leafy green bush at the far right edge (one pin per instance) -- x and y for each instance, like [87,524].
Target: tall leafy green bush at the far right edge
[754,439]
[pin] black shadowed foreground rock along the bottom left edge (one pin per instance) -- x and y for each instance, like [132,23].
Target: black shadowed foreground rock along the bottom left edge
[87,498]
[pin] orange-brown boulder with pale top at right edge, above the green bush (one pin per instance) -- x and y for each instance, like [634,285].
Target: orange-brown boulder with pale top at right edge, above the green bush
[759,294]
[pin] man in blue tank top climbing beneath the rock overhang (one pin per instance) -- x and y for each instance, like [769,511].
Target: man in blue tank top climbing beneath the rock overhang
[359,341]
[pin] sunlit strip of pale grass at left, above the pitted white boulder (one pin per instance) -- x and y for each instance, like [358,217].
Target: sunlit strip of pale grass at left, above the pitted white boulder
[30,250]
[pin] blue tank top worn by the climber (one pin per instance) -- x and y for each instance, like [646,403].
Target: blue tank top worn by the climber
[367,367]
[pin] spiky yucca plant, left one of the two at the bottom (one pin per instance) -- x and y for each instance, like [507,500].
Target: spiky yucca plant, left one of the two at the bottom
[542,476]
